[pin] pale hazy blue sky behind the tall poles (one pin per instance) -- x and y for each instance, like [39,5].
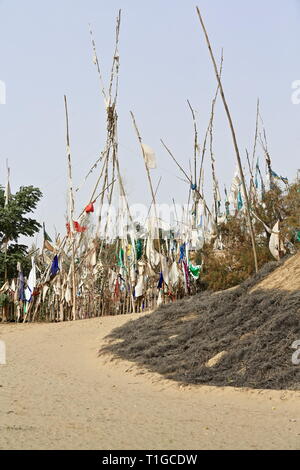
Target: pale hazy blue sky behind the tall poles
[45,52]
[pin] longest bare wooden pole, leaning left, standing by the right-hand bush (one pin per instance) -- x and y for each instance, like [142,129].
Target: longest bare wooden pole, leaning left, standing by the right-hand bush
[234,140]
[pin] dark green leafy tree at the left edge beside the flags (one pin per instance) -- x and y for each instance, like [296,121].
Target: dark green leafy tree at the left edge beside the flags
[14,222]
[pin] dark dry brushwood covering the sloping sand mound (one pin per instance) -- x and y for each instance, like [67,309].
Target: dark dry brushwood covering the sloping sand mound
[247,332]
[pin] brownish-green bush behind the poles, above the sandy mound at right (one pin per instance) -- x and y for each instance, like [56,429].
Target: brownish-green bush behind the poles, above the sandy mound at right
[226,268]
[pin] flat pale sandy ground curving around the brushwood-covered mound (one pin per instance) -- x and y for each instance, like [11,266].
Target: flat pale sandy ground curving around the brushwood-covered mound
[55,393]
